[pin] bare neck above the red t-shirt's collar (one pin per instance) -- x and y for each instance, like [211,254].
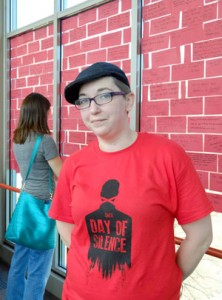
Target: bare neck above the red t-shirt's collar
[120,142]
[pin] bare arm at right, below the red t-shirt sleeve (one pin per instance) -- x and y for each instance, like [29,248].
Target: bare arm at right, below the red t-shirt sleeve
[197,241]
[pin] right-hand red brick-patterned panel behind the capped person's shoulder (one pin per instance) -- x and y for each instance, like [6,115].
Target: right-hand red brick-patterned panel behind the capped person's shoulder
[182,82]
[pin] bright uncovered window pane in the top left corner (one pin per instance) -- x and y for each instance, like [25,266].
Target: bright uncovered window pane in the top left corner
[29,11]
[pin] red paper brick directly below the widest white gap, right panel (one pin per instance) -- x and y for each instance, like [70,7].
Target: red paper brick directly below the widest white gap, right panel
[188,71]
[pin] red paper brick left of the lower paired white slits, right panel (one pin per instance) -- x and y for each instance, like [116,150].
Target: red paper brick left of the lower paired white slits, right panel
[164,91]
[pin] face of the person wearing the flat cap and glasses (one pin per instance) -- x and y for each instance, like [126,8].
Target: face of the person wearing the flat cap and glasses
[109,119]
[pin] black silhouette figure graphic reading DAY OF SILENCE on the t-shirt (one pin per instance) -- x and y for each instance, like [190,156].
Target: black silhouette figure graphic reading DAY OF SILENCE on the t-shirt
[110,233]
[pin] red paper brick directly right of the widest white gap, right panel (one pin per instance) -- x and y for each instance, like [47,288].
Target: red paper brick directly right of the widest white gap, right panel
[207,49]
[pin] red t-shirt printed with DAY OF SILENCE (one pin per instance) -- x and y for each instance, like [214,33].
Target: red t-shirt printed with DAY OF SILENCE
[123,205]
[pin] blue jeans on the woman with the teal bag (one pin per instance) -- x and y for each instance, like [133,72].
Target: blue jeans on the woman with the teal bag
[28,274]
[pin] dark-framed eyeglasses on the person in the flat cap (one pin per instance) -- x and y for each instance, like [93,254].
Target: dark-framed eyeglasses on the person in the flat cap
[100,99]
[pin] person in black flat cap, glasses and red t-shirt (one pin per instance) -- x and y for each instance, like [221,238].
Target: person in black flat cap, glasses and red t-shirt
[117,199]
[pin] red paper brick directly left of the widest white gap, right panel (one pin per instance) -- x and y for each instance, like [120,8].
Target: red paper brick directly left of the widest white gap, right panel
[166,57]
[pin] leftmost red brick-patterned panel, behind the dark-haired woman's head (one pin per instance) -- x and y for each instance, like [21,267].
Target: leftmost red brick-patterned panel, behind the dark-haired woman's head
[31,70]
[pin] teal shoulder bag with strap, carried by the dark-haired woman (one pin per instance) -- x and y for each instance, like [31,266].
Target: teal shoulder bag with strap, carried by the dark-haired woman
[30,224]
